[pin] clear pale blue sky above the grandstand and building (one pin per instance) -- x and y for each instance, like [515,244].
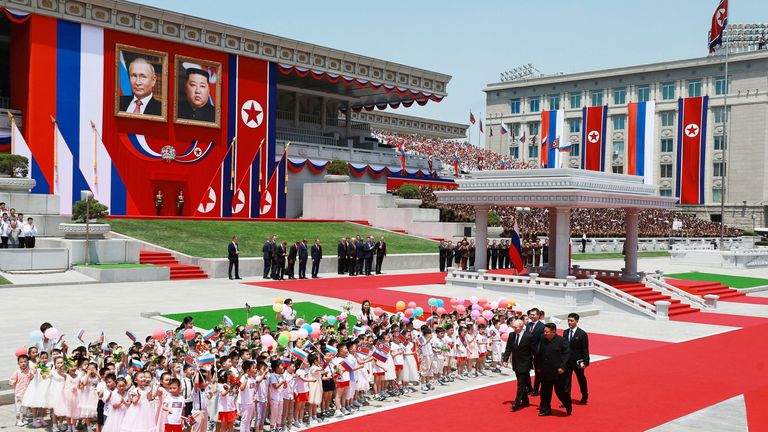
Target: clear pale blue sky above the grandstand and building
[475,41]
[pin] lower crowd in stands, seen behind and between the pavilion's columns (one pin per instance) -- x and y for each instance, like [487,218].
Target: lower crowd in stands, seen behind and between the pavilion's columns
[594,222]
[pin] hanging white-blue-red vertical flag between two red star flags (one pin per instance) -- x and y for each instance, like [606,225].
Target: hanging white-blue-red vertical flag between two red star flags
[640,134]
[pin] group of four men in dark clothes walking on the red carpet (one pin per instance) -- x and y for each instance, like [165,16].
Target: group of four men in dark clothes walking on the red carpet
[554,359]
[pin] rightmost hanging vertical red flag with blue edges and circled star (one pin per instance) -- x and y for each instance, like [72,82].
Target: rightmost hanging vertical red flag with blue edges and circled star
[691,149]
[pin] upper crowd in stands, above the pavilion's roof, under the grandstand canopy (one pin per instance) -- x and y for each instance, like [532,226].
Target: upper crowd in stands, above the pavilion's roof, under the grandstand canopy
[471,158]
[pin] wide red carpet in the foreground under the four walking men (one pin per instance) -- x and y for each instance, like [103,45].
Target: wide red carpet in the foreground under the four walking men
[637,391]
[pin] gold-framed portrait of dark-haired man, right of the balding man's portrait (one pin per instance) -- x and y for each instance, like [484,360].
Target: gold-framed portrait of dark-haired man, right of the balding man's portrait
[197,93]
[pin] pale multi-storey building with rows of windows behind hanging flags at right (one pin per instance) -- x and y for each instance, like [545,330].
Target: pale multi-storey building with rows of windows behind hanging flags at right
[519,105]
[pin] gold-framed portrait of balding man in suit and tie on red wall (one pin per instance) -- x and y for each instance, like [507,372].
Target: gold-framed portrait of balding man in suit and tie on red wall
[141,83]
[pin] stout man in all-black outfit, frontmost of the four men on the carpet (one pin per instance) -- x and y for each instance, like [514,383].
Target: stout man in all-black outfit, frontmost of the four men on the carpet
[551,360]
